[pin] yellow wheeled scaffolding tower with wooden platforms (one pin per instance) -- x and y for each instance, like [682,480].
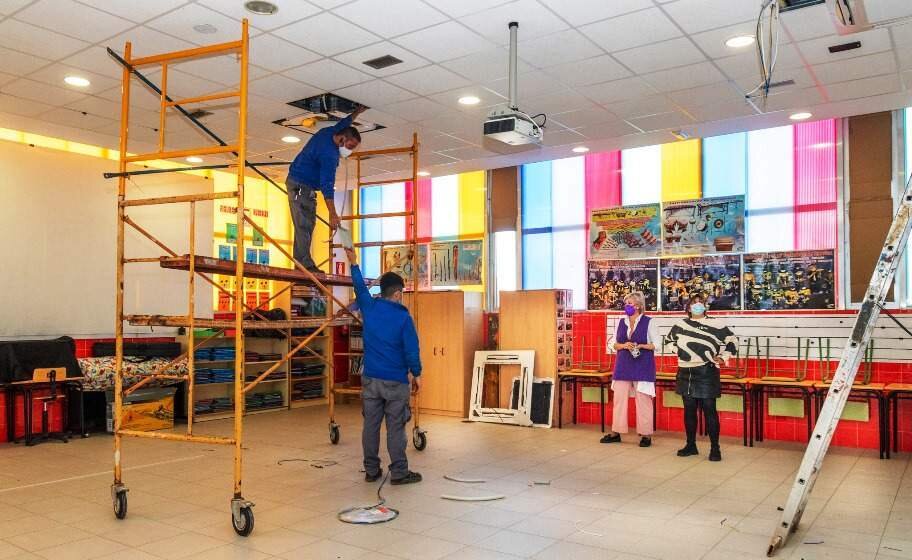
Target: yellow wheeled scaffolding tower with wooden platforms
[241,509]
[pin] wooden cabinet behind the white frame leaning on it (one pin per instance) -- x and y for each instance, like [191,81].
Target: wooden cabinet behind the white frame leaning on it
[540,320]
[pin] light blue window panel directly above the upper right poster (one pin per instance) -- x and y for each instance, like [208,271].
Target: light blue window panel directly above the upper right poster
[725,165]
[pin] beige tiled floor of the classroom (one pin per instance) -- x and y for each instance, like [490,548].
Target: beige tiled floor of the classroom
[604,502]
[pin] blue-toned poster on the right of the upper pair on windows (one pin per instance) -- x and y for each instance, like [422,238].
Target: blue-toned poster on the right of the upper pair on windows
[708,225]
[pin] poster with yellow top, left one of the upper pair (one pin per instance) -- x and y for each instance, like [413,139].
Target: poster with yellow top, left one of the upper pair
[625,232]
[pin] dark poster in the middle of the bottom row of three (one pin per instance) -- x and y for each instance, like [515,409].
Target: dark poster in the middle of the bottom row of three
[717,278]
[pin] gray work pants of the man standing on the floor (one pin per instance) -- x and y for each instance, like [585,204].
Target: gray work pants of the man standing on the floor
[389,399]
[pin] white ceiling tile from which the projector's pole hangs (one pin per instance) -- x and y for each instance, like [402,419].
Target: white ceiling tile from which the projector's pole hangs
[535,21]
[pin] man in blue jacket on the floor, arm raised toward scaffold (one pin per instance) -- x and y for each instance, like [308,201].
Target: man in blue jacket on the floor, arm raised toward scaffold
[390,353]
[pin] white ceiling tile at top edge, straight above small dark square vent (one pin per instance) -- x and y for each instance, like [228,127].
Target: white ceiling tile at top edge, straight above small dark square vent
[390,17]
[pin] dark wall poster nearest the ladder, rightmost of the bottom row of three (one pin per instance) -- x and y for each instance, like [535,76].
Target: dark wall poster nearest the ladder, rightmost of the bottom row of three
[789,280]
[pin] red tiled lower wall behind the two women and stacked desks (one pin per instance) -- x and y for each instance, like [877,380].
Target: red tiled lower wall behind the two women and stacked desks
[589,352]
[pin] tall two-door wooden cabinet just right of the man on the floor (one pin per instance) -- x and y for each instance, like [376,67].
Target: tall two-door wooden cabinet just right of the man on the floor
[450,331]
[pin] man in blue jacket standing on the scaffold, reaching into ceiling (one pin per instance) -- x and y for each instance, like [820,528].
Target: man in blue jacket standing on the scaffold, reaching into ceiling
[314,169]
